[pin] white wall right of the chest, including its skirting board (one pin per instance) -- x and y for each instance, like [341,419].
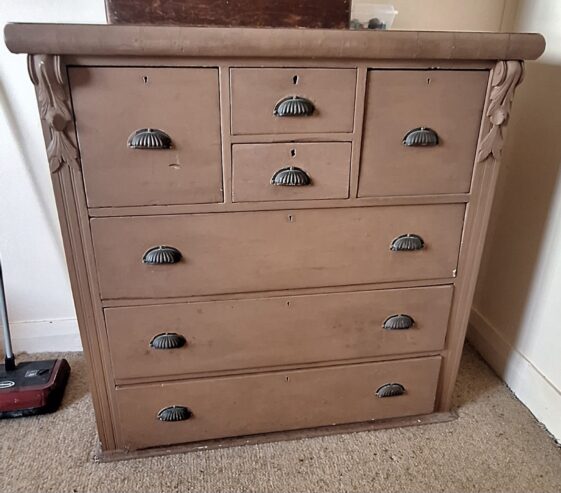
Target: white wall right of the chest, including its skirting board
[516,319]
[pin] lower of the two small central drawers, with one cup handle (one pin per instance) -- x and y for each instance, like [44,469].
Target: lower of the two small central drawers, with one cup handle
[264,172]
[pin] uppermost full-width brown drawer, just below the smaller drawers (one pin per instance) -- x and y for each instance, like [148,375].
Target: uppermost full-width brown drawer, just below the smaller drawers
[238,252]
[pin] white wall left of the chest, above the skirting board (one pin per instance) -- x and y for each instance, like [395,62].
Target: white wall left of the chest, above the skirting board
[39,299]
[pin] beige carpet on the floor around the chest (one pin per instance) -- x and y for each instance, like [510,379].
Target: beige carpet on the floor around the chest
[495,445]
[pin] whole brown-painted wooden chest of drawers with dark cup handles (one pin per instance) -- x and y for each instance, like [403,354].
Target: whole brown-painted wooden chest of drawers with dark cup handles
[270,231]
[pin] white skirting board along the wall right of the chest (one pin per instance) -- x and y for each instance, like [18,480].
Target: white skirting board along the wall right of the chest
[529,385]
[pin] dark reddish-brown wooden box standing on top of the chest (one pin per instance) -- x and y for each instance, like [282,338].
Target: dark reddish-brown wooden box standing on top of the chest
[326,14]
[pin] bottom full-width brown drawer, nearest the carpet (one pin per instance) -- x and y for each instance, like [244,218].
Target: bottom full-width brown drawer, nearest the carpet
[267,402]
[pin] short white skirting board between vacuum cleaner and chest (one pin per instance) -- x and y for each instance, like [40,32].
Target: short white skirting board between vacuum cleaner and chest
[40,336]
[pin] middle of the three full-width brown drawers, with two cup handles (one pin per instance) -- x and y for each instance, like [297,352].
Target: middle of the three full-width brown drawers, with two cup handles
[231,335]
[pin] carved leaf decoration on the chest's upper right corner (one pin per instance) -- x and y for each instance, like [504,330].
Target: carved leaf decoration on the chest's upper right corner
[506,76]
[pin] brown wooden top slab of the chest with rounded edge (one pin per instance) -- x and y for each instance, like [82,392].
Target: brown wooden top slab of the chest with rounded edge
[90,39]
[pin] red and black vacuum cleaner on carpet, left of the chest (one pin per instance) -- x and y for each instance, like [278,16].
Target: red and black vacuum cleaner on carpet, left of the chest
[28,388]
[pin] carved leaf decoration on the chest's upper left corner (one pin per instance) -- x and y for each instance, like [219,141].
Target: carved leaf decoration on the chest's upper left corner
[46,73]
